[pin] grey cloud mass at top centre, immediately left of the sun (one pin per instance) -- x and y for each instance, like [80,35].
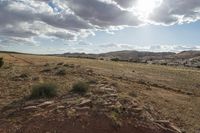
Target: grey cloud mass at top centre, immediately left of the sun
[103,14]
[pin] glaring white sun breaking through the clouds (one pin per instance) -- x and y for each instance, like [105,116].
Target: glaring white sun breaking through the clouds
[145,7]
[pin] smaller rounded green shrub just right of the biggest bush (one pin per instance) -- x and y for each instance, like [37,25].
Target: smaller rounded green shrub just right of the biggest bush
[80,87]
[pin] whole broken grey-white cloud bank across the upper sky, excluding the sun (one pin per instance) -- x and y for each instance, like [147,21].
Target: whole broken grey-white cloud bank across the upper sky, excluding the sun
[75,19]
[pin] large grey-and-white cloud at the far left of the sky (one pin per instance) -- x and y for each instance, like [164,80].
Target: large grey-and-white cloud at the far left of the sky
[26,19]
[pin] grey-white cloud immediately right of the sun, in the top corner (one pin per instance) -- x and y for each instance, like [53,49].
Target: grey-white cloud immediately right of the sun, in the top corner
[176,12]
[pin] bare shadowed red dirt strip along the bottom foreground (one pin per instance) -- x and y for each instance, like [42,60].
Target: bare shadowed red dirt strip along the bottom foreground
[83,124]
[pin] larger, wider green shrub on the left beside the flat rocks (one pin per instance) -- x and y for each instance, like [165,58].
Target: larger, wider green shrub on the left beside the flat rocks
[43,90]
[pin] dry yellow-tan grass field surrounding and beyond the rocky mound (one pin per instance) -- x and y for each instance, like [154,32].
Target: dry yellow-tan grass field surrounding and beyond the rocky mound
[164,88]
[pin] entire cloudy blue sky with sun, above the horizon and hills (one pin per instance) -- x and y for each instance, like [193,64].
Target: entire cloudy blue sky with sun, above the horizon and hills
[98,26]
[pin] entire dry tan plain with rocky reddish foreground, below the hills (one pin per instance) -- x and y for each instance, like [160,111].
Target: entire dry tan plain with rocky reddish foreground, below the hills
[119,97]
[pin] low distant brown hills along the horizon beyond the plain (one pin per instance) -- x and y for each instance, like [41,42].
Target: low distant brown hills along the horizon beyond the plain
[184,58]
